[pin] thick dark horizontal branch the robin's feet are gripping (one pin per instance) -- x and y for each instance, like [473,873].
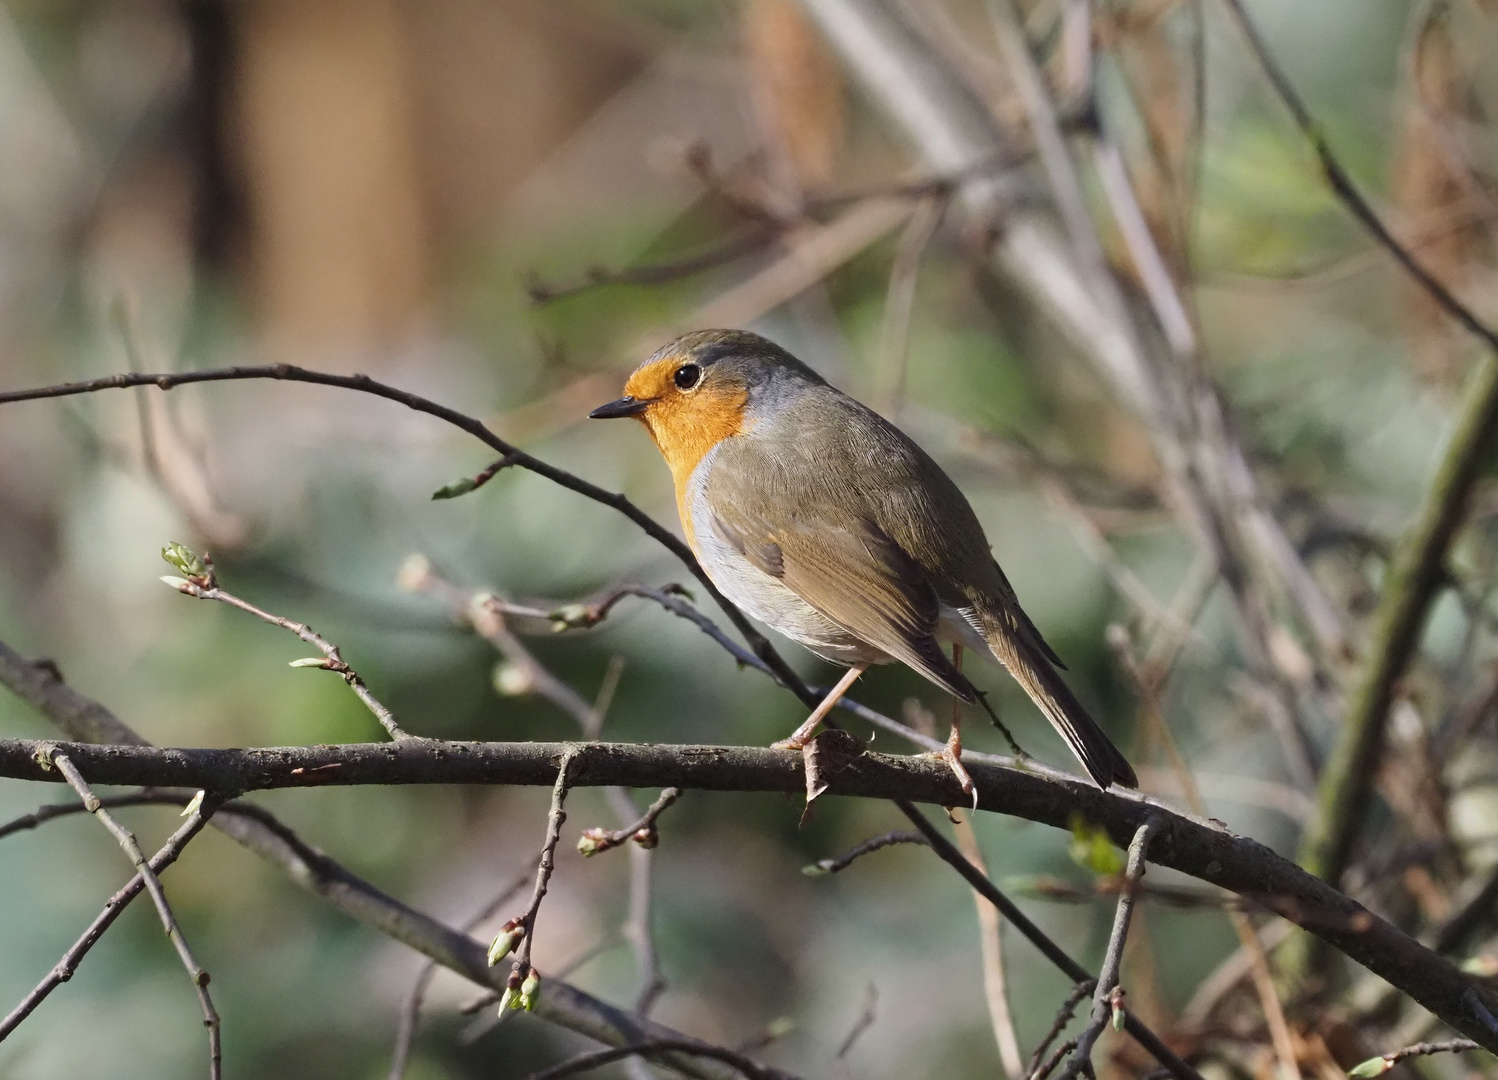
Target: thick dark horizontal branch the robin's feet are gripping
[1184,844]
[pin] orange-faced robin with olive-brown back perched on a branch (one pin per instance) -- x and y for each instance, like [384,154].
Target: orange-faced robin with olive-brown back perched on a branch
[825,522]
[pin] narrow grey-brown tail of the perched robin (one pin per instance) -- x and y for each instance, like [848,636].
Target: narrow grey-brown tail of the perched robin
[1030,663]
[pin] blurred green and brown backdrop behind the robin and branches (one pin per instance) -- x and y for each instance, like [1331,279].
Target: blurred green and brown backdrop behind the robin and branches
[437,195]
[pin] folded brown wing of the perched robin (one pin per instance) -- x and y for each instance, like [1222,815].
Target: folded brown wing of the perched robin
[849,568]
